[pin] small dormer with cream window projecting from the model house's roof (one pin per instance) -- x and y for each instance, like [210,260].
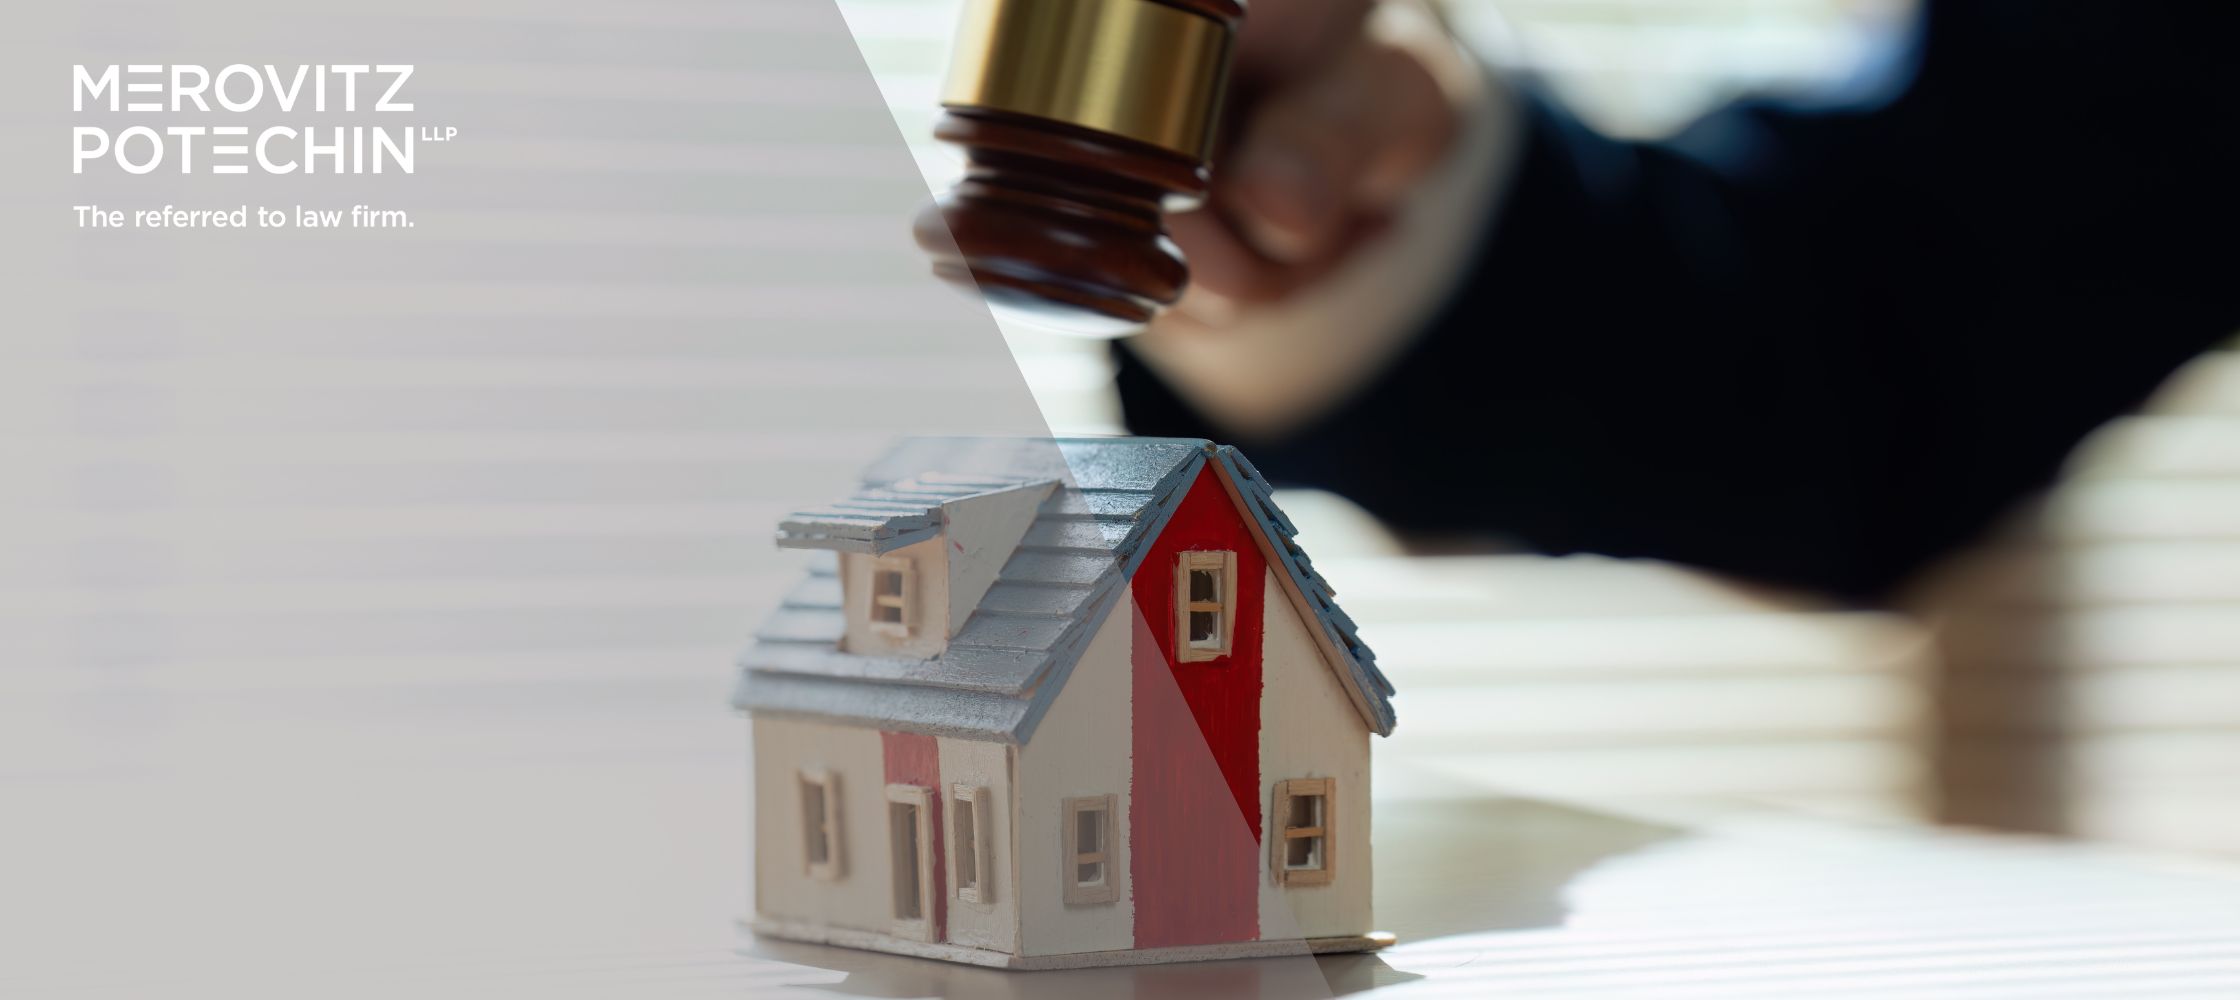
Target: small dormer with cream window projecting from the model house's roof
[917,555]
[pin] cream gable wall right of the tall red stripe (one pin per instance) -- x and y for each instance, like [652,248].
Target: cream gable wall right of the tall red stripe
[1309,730]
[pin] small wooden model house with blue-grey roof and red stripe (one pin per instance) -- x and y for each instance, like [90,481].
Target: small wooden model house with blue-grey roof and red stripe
[1056,705]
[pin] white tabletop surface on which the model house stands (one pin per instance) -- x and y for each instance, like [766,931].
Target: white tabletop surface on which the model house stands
[590,840]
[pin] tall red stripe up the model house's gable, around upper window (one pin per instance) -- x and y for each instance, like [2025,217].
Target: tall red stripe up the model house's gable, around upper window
[1195,822]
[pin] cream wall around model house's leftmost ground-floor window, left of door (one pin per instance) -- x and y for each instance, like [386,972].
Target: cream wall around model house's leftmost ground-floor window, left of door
[864,896]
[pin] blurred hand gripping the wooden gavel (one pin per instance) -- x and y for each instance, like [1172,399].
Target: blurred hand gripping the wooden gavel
[1336,109]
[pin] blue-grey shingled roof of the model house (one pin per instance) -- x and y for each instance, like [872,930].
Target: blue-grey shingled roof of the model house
[1002,669]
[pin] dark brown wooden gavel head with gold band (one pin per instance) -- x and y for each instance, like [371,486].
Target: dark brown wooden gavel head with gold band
[1083,124]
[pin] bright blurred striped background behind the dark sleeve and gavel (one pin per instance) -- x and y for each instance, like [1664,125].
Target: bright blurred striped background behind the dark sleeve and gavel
[2080,674]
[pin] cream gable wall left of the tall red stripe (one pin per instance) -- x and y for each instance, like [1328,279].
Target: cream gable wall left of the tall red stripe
[1081,750]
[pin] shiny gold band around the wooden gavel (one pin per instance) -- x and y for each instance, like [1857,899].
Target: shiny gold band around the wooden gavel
[1132,68]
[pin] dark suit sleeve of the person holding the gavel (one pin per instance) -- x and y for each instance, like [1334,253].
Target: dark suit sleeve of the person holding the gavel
[1816,346]
